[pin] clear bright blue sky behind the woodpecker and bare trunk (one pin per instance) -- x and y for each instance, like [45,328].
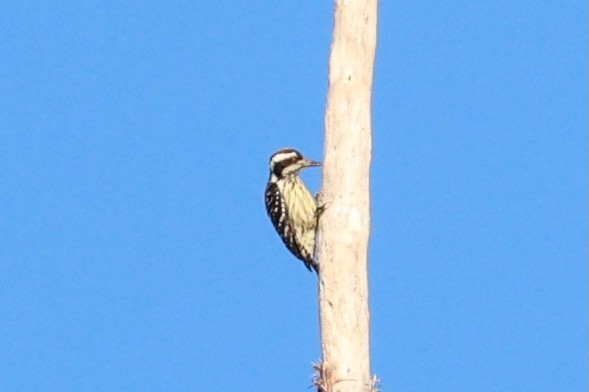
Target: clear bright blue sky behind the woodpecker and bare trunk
[135,252]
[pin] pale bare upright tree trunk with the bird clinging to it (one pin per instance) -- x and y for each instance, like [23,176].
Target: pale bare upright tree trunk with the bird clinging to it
[342,244]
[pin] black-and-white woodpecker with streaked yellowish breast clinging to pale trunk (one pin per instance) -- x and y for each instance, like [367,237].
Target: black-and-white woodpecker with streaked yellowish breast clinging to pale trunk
[290,206]
